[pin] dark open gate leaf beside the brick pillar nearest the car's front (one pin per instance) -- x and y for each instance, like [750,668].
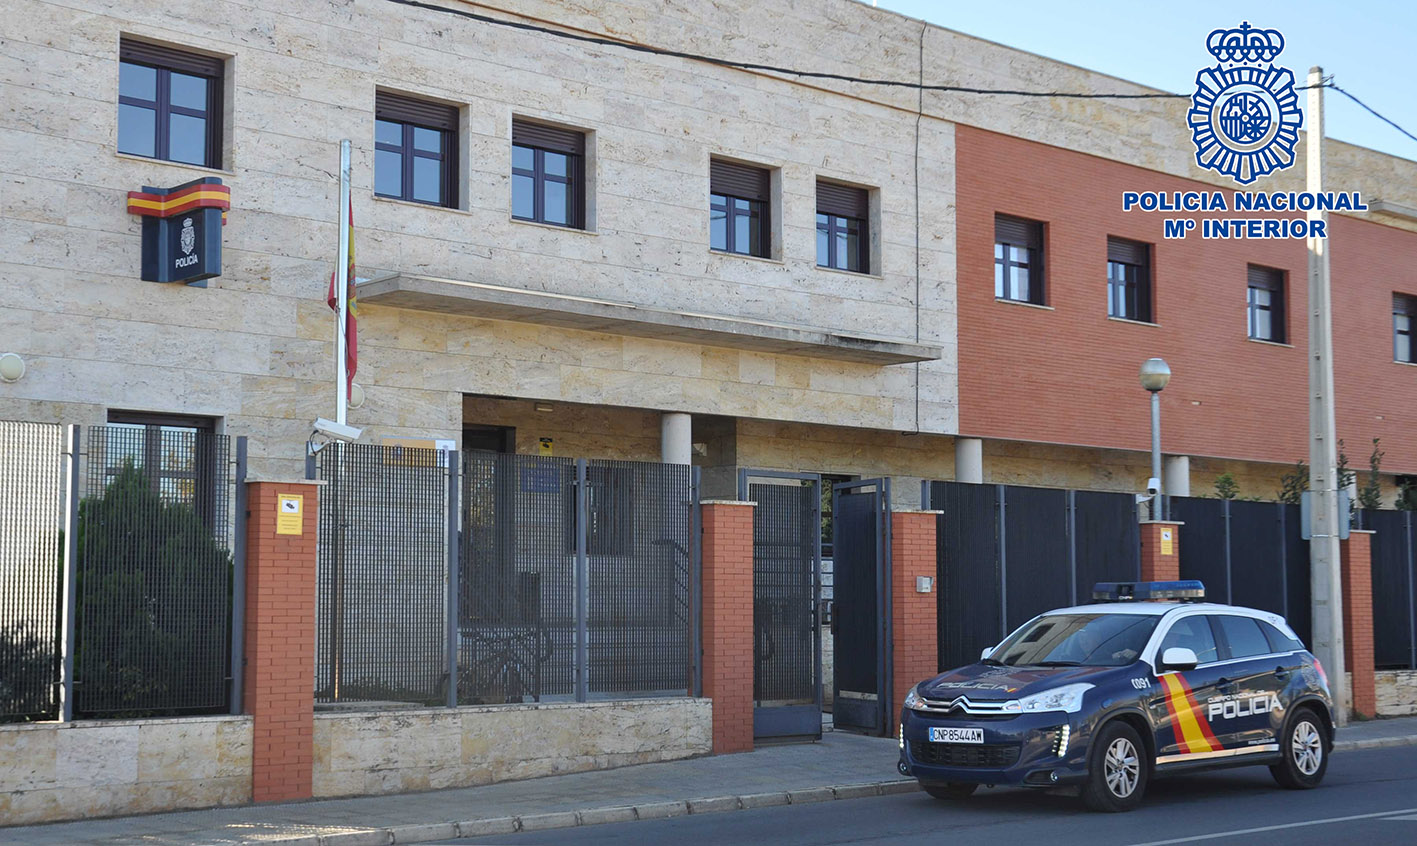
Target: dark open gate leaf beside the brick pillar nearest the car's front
[861,617]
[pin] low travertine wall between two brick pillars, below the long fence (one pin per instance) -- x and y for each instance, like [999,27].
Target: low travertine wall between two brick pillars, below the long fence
[430,749]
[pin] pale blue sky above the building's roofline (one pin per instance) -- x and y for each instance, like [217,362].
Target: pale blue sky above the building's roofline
[1368,46]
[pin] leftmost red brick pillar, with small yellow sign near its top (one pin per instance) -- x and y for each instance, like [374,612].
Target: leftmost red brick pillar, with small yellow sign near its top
[280,641]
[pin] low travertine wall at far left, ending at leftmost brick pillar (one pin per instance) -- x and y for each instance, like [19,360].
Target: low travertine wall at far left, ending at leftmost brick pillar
[53,772]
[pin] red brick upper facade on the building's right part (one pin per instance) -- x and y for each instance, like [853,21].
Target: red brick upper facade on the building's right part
[1069,375]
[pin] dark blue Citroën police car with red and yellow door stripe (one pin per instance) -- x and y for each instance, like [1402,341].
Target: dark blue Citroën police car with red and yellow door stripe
[1107,696]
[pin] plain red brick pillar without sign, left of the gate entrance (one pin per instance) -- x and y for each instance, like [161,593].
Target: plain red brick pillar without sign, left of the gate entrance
[728,623]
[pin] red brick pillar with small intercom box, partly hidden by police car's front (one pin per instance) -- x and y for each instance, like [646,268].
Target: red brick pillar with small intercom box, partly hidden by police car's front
[915,637]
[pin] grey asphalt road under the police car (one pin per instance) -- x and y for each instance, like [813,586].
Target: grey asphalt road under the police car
[1370,799]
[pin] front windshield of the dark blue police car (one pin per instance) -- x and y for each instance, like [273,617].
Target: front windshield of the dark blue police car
[1079,640]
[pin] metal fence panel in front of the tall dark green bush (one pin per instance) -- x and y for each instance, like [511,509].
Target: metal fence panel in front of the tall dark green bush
[155,573]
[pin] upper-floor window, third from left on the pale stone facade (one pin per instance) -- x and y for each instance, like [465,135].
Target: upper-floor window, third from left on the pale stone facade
[548,175]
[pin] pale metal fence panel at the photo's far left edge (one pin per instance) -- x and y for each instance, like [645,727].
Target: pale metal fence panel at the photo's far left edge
[32,569]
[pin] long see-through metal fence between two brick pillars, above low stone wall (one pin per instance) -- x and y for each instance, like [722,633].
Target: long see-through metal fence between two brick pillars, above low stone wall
[572,580]
